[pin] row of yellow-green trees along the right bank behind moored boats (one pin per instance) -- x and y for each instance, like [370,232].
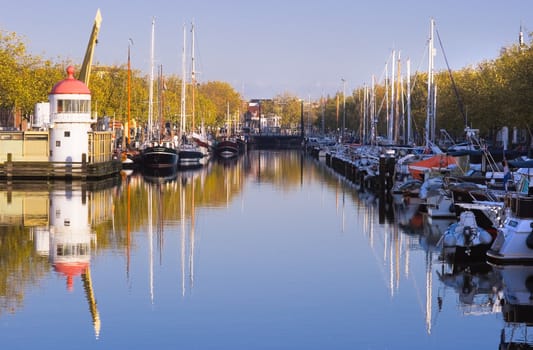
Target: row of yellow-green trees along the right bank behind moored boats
[486,96]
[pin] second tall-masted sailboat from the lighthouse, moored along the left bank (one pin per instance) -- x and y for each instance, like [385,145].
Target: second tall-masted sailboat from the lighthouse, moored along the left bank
[190,154]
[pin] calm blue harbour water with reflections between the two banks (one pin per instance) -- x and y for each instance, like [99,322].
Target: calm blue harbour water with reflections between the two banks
[269,251]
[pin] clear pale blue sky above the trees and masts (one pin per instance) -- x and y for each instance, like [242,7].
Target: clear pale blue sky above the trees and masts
[265,48]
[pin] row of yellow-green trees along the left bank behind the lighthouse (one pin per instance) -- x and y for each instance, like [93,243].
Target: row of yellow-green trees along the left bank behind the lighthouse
[27,79]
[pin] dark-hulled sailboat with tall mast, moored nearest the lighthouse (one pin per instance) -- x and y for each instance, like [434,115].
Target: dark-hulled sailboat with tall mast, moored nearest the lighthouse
[156,154]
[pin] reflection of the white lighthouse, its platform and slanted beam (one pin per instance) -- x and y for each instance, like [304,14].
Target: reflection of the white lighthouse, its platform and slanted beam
[60,221]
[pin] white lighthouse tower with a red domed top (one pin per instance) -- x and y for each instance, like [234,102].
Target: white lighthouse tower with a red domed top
[70,119]
